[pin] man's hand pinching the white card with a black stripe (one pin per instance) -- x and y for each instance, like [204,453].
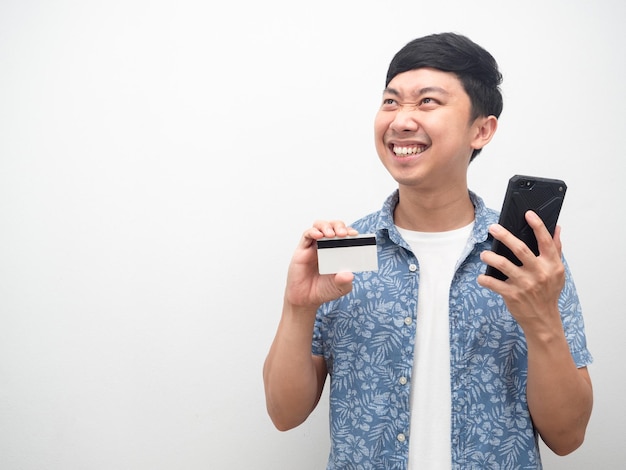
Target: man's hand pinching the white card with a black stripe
[305,286]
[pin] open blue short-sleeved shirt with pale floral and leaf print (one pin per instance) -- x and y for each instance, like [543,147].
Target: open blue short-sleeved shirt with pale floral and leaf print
[367,339]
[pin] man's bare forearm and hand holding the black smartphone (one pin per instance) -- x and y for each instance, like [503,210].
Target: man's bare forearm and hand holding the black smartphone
[559,394]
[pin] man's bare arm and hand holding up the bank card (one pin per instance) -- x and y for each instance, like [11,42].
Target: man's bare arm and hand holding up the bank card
[293,377]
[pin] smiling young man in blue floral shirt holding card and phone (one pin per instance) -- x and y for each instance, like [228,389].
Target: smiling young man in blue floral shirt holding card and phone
[433,364]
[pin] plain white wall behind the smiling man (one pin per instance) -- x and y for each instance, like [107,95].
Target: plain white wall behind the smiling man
[160,159]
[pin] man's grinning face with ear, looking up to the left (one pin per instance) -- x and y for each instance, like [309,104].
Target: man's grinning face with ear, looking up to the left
[424,136]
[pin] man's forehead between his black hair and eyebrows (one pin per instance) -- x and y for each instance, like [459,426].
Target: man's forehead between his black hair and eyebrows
[417,82]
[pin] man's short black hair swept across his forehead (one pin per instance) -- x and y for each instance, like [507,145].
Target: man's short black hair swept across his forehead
[450,52]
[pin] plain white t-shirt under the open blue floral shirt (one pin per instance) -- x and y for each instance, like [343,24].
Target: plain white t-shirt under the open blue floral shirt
[438,254]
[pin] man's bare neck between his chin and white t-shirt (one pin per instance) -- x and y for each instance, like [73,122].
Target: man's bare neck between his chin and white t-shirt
[438,211]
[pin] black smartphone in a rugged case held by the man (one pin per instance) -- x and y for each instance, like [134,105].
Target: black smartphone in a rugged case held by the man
[544,196]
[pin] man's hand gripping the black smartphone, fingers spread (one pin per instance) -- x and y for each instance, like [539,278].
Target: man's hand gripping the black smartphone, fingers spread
[532,290]
